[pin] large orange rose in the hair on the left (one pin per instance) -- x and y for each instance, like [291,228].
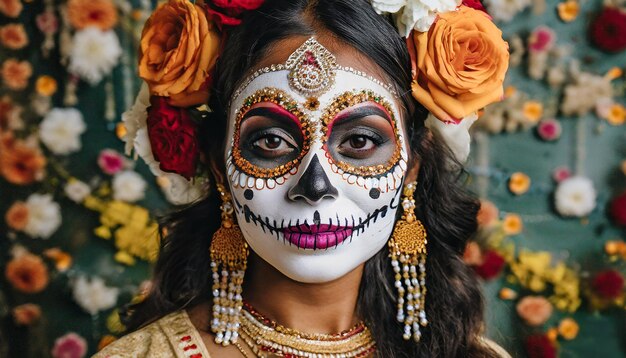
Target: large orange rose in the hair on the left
[179,47]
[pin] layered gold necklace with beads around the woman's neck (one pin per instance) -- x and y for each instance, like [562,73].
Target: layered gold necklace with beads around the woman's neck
[265,337]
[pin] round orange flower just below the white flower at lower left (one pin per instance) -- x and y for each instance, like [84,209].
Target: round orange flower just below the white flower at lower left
[27,273]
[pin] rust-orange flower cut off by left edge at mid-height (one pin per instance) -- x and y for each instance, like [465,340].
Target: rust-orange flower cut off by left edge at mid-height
[20,163]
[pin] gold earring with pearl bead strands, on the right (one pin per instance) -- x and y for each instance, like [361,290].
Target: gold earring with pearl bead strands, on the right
[407,250]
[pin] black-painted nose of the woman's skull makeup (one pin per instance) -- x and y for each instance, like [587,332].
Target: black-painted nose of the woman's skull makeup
[313,185]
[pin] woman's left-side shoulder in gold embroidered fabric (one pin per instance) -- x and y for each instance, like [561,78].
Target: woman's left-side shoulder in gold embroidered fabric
[170,336]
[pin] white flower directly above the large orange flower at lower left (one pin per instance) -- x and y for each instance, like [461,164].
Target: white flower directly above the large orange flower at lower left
[44,216]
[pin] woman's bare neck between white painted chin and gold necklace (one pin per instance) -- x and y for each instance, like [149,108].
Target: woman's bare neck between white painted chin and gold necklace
[326,308]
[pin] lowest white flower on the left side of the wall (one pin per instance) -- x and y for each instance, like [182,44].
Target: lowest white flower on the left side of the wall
[93,295]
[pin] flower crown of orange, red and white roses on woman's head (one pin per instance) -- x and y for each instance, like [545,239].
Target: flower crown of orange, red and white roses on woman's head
[459,61]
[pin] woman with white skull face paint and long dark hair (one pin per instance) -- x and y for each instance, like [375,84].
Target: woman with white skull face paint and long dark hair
[315,158]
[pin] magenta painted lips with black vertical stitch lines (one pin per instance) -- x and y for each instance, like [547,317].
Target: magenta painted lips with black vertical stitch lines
[315,237]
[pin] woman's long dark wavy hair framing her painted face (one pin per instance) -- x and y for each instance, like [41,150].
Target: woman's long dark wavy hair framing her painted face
[454,303]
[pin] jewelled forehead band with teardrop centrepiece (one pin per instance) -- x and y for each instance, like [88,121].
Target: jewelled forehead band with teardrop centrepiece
[312,71]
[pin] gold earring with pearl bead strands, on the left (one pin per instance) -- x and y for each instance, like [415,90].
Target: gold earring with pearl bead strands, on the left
[229,254]
